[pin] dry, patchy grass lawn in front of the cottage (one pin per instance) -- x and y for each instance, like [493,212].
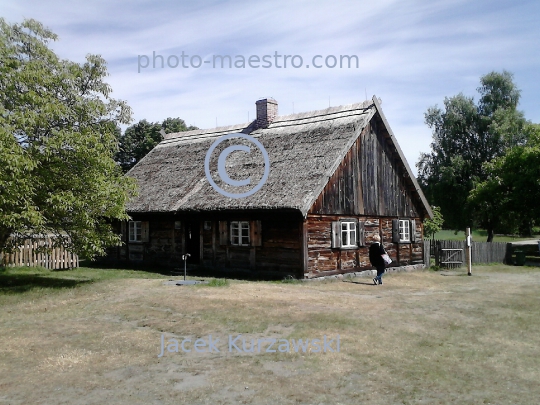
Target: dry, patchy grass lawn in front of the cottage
[93,336]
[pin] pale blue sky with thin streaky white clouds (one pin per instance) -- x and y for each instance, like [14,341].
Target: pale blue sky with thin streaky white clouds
[411,54]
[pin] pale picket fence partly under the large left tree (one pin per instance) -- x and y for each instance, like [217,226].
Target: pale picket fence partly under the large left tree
[39,252]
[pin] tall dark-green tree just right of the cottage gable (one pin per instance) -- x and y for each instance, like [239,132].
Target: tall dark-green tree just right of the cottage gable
[466,136]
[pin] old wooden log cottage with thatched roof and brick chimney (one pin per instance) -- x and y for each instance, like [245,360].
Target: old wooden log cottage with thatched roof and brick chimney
[335,178]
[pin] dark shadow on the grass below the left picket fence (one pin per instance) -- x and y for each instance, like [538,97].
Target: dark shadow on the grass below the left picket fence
[21,283]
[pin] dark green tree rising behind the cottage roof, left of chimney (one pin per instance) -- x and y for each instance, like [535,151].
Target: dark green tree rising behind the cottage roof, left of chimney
[142,137]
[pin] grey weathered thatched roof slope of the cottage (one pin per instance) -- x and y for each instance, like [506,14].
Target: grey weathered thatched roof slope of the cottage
[304,150]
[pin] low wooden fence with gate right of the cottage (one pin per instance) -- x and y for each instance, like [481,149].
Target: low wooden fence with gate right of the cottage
[452,254]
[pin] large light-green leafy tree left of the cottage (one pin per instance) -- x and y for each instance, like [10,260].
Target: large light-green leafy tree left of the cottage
[57,143]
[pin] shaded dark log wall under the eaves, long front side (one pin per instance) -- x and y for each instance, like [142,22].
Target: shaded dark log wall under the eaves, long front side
[279,251]
